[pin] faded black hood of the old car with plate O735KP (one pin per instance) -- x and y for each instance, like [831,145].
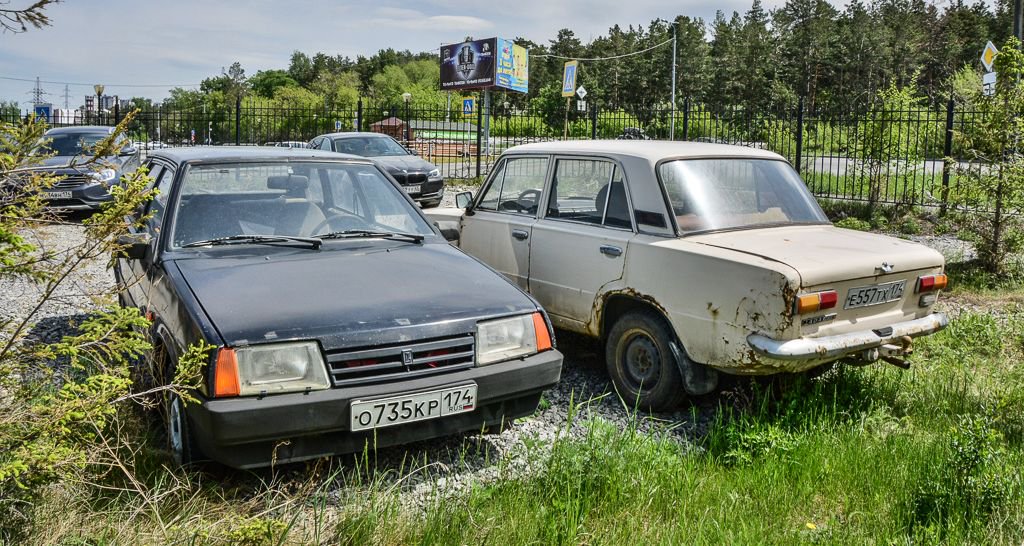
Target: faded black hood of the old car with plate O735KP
[350,295]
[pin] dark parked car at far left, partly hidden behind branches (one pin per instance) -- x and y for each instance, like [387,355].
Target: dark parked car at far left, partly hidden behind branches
[83,187]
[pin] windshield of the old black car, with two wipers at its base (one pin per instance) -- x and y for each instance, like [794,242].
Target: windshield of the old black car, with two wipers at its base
[307,199]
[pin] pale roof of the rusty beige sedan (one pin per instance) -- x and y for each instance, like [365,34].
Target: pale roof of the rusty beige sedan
[653,151]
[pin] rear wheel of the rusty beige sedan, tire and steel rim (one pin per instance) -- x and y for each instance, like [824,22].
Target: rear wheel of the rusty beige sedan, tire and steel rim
[641,362]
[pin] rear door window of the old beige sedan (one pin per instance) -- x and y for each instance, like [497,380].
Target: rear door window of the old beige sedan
[589,191]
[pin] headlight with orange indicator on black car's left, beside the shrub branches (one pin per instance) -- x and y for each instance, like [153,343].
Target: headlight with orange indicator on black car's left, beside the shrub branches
[271,369]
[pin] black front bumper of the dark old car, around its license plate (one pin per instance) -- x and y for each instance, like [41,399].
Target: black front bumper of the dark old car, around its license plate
[252,433]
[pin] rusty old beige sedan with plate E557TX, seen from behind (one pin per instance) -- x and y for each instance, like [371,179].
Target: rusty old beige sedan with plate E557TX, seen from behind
[694,260]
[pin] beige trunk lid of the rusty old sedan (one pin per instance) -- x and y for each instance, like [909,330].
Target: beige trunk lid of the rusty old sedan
[825,255]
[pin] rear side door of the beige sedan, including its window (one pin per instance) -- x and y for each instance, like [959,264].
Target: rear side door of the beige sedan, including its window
[580,243]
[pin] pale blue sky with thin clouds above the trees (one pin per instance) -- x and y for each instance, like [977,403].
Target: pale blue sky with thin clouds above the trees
[125,45]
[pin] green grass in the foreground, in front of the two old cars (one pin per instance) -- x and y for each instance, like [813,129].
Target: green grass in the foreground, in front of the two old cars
[860,455]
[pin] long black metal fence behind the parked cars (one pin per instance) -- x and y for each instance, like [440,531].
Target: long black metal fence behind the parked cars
[873,156]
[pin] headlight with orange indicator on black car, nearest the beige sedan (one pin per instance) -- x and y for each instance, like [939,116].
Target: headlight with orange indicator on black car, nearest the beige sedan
[503,340]
